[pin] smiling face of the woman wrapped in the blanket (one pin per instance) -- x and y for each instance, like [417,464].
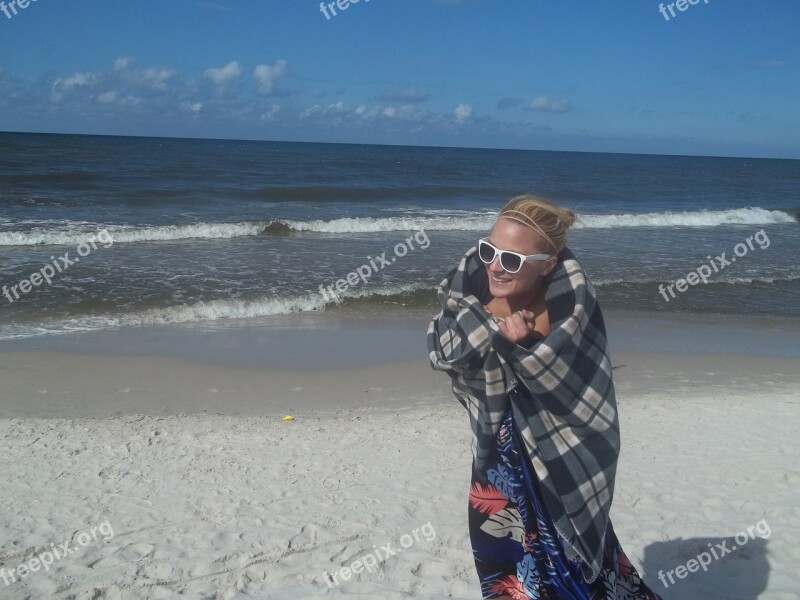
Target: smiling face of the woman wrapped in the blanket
[508,234]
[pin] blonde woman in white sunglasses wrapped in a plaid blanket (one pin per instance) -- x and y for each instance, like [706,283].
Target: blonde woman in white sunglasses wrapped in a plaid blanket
[523,339]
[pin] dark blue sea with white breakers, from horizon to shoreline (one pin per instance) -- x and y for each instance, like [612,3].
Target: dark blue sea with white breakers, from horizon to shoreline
[157,231]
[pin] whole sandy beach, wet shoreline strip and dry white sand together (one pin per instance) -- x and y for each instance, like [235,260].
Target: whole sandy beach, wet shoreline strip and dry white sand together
[194,484]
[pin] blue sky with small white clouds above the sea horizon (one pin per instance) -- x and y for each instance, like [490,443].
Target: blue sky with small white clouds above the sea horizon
[720,78]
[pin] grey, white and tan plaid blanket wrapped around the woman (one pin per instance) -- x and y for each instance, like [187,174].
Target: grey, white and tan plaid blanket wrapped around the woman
[561,391]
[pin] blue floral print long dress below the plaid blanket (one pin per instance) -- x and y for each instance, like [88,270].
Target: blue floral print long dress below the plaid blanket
[515,545]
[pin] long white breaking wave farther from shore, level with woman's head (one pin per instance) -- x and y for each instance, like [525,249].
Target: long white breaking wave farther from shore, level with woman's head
[75,233]
